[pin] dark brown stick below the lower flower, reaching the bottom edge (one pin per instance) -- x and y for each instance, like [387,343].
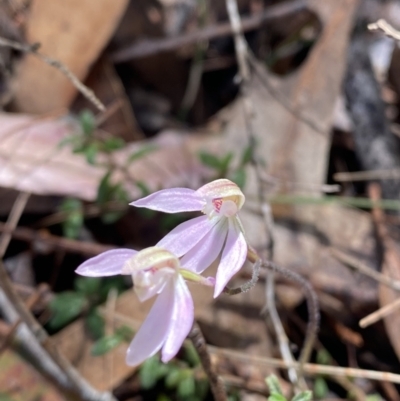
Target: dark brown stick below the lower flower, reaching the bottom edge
[198,341]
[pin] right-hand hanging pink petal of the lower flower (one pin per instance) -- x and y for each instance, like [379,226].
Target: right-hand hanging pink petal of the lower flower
[181,320]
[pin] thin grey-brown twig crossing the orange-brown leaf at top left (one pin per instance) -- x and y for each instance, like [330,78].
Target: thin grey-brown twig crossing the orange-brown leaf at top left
[33,49]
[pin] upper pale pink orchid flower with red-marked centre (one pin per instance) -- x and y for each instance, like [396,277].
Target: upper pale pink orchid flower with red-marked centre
[199,241]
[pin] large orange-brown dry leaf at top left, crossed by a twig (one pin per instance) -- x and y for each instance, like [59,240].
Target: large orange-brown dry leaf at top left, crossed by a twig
[74,33]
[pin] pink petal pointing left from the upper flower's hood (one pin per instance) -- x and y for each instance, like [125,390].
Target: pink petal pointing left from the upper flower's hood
[172,200]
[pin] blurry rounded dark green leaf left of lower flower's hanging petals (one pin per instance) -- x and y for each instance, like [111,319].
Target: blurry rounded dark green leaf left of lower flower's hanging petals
[66,306]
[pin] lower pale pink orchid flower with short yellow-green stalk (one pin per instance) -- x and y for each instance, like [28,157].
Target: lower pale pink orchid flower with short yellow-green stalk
[155,271]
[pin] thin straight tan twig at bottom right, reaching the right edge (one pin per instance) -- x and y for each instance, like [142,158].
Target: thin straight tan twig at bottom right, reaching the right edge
[310,369]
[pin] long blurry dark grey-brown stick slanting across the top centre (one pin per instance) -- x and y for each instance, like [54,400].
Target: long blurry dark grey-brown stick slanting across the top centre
[150,47]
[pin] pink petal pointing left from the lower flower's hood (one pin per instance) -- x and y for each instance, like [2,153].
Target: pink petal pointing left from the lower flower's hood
[109,263]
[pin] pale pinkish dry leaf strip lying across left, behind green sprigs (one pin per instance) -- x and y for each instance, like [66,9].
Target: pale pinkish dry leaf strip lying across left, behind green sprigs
[31,160]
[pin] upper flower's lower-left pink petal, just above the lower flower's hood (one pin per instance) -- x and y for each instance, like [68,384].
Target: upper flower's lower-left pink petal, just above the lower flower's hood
[184,237]
